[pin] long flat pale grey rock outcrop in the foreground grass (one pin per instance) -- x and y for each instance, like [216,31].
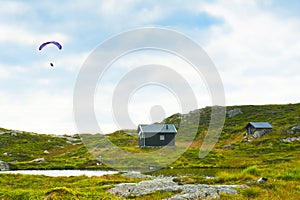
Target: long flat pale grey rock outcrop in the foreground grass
[188,191]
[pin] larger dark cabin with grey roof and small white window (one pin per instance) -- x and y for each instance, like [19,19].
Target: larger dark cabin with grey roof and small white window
[156,135]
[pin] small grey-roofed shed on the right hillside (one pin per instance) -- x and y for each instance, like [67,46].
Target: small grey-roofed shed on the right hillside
[257,129]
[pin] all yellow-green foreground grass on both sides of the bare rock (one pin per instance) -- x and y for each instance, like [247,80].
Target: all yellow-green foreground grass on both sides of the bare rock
[16,186]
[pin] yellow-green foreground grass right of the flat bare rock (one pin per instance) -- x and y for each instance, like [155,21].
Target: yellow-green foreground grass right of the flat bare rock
[283,181]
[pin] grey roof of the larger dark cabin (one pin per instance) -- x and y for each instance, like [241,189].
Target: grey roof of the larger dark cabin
[156,128]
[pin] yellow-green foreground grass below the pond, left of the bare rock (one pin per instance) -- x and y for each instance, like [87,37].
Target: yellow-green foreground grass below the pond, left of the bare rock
[16,186]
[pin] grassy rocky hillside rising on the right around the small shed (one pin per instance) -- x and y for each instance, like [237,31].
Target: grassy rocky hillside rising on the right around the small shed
[233,150]
